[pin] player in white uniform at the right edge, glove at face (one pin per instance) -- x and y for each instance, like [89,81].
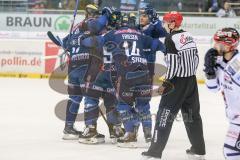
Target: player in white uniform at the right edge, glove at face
[222,70]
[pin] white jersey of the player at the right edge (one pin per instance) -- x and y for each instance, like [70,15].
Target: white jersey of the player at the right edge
[228,82]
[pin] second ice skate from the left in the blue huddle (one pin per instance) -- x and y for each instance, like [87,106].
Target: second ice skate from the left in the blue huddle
[91,136]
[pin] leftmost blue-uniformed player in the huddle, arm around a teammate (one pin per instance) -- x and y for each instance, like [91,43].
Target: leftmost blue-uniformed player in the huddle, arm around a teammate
[79,61]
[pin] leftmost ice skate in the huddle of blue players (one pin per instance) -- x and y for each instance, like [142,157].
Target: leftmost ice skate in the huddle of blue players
[70,133]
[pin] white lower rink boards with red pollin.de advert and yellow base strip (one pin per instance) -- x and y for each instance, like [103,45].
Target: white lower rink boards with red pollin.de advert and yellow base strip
[26,58]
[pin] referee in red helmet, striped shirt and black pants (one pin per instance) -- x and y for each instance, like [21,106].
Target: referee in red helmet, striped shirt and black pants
[182,62]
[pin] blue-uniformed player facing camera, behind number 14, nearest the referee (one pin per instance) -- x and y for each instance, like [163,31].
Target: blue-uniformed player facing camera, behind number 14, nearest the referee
[151,26]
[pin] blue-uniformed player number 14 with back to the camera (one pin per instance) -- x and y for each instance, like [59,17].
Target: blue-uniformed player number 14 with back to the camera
[133,74]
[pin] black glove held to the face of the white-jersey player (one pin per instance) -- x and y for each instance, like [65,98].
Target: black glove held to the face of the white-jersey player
[210,63]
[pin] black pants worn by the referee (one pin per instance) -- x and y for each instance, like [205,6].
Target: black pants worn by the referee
[184,97]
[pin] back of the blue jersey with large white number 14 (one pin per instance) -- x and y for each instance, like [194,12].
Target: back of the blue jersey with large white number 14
[128,42]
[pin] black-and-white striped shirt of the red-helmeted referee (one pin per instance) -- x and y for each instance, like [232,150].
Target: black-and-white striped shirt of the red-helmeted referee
[181,55]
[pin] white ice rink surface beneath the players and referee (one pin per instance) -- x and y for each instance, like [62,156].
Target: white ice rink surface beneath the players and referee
[29,129]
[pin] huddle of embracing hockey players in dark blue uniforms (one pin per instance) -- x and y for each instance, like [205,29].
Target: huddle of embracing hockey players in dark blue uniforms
[110,55]
